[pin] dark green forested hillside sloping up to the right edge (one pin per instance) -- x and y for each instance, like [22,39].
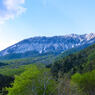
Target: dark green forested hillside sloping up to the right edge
[82,61]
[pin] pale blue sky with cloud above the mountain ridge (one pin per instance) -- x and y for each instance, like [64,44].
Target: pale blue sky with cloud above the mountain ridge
[20,19]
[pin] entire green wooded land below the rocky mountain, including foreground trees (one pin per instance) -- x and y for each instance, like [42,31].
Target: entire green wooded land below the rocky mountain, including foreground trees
[73,74]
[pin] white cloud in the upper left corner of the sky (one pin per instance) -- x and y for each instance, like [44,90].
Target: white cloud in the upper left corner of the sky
[11,8]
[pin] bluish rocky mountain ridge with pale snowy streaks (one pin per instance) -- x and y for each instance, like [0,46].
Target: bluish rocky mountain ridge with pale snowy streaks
[50,44]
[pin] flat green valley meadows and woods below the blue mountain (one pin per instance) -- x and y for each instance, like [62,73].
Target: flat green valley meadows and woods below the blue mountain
[17,66]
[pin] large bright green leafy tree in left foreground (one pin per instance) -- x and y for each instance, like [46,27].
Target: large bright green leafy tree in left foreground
[34,81]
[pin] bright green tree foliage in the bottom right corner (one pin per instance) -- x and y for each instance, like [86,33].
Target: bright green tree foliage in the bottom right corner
[85,82]
